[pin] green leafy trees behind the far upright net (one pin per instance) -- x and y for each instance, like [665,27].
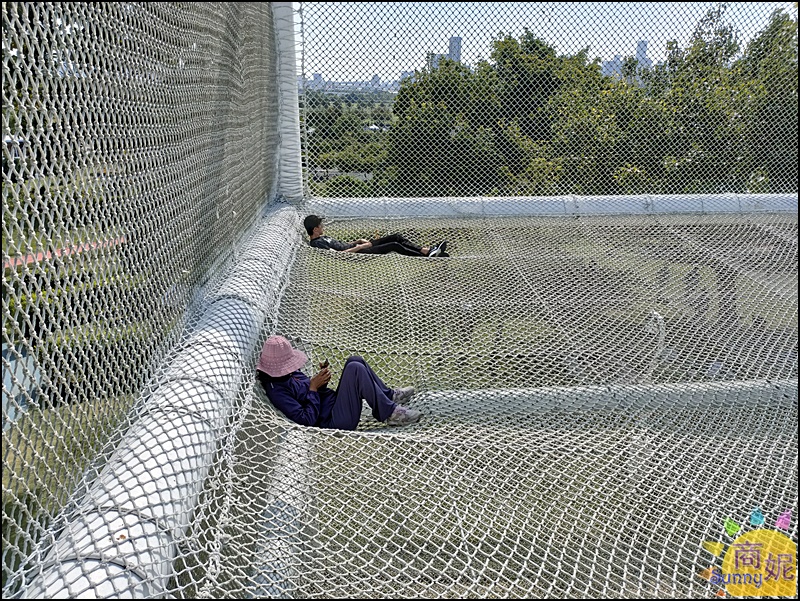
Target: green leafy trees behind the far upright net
[713,117]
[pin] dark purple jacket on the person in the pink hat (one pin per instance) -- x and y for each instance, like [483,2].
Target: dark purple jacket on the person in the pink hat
[291,395]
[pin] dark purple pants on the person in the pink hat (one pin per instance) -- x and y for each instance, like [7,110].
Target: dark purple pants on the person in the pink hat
[358,382]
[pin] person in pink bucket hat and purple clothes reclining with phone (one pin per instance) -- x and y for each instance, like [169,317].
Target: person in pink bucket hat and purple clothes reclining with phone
[309,401]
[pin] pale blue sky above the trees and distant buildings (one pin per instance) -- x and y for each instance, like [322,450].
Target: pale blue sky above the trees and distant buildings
[352,41]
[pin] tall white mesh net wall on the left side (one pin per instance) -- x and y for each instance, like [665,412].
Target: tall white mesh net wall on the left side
[138,146]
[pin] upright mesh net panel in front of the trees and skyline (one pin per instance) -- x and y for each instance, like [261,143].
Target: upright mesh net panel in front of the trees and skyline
[430,99]
